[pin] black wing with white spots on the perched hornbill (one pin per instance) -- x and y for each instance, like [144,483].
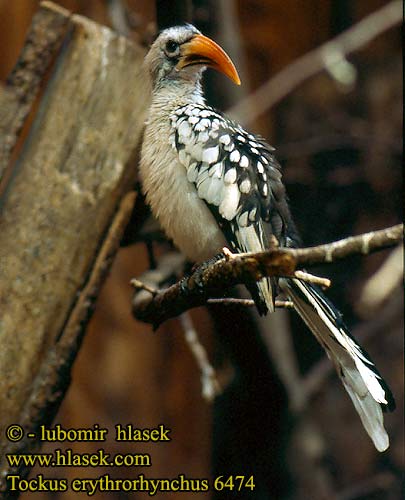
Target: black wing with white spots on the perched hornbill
[236,174]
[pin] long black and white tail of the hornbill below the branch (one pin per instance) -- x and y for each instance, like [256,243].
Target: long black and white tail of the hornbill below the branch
[366,388]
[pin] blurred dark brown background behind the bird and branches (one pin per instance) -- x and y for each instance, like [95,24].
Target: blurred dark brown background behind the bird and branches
[341,152]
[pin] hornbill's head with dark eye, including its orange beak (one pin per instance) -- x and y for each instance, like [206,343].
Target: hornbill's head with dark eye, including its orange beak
[182,52]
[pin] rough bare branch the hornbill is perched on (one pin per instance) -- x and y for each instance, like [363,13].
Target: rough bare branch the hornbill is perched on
[212,280]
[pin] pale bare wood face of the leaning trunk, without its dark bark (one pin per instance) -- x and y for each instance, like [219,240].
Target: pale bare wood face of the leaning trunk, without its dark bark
[74,168]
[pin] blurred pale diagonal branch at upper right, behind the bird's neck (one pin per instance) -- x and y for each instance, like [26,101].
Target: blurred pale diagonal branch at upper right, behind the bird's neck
[278,87]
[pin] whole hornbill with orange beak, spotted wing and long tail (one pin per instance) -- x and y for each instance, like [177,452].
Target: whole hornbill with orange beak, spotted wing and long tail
[213,185]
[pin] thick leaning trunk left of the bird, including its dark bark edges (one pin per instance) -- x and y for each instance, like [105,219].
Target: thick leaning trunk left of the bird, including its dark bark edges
[60,193]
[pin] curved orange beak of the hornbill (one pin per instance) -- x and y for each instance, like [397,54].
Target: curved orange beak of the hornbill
[202,50]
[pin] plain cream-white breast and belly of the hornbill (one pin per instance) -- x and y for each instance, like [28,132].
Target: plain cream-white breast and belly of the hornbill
[174,201]
